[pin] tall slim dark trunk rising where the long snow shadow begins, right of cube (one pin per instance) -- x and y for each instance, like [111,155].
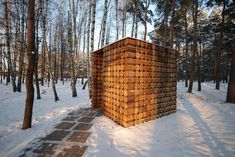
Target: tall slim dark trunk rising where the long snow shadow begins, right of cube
[192,75]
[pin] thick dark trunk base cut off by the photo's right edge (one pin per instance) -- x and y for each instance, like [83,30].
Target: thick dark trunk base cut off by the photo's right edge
[231,84]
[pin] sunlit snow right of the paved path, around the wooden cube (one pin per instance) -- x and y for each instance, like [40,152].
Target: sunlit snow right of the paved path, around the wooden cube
[202,126]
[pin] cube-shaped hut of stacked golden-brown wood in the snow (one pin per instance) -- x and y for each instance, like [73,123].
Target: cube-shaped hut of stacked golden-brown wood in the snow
[134,81]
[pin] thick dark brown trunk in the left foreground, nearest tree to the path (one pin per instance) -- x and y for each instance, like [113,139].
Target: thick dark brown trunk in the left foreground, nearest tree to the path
[31,64]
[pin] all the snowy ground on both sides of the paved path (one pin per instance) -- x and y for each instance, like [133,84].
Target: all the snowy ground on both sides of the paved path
[202,126]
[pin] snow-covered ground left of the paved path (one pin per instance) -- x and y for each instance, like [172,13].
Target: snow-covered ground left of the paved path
[46,114]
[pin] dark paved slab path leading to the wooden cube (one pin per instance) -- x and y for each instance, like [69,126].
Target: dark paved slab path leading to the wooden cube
[68,138]
